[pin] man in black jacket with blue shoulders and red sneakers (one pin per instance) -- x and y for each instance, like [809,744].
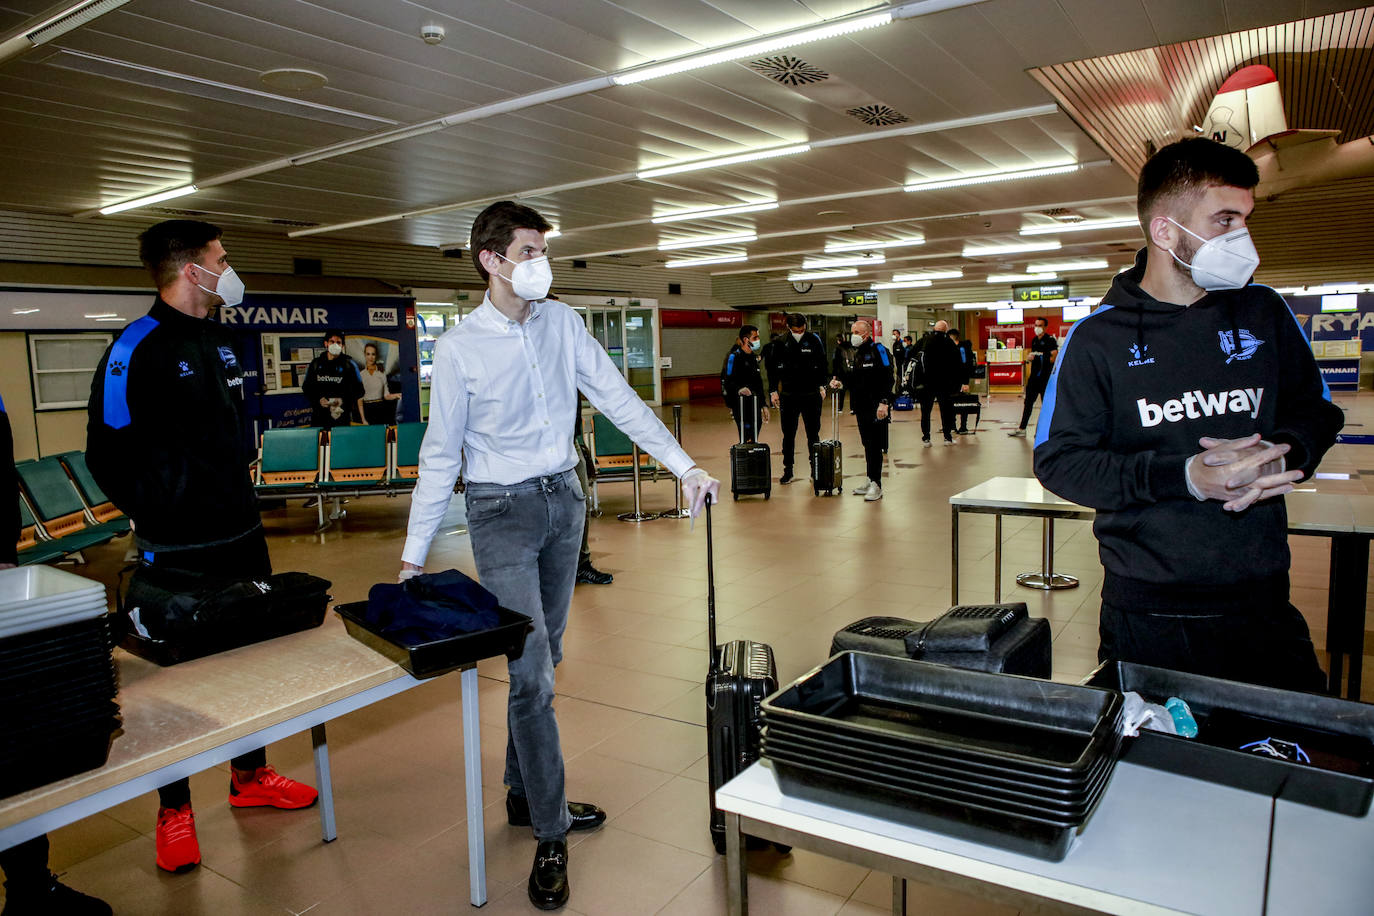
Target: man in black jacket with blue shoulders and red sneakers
[164,443]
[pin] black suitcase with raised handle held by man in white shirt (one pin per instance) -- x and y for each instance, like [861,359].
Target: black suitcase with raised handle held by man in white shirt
[741,675]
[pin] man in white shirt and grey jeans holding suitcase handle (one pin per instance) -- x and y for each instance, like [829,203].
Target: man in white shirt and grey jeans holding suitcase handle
[504,396]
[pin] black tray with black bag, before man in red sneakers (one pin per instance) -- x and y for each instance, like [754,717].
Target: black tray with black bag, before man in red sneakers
[175,616]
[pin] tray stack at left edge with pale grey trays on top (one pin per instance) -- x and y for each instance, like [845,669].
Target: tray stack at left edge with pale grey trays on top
[57,682]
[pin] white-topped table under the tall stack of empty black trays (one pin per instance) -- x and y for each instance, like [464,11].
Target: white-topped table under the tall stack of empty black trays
[1158,844]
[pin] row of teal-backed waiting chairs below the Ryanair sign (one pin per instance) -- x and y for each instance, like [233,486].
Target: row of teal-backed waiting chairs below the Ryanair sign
[344,462]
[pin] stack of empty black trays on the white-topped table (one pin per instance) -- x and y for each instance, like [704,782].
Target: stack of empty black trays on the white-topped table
[1006,762]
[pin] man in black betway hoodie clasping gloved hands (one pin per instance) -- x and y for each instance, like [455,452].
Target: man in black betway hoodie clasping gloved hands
[1182,411]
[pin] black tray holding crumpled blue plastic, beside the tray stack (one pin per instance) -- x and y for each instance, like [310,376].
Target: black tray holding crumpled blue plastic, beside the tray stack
[1329,790]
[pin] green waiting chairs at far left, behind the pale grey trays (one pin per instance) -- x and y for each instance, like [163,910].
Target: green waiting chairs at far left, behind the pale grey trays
[63,510]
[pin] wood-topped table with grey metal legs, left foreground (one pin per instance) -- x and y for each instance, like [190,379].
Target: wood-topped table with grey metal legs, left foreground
[189,718]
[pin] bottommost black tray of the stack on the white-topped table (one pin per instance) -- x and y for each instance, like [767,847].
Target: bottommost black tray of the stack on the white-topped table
[965,822]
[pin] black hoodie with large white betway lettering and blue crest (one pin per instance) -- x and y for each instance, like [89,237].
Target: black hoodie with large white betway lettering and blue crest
[1136,385]
